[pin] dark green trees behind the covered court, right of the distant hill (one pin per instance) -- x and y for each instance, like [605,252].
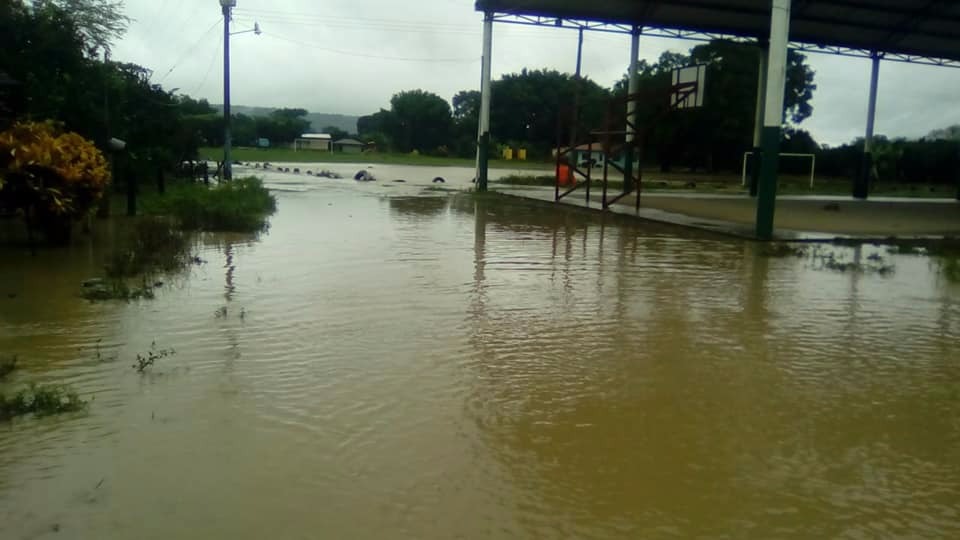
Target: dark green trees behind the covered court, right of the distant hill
[533,110]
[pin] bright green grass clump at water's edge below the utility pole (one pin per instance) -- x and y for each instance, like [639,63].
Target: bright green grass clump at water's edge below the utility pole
[243,205]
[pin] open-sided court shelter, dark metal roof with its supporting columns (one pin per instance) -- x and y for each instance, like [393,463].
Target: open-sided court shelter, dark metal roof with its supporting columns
[915,31]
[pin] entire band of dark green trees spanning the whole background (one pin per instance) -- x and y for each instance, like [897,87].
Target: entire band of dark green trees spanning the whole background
[53,65]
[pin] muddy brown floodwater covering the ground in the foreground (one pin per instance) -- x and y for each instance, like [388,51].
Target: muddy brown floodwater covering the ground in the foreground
[409,364]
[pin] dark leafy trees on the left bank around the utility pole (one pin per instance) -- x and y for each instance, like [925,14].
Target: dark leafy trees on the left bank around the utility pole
[54,64]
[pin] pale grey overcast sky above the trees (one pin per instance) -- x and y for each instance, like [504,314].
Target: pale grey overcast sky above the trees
[351,56]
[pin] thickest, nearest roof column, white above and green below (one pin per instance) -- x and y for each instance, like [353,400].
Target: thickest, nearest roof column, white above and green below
[773,117]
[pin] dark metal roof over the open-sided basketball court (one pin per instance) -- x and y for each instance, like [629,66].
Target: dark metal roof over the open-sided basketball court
[922,28]
